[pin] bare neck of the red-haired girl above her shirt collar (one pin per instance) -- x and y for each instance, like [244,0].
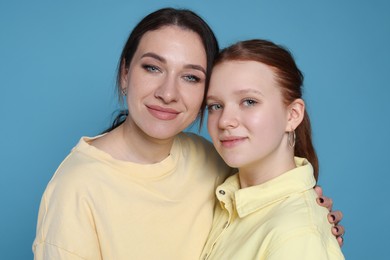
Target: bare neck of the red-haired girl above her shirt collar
[267,169]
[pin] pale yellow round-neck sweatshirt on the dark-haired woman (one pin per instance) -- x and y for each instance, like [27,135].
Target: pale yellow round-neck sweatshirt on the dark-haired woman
[97,207]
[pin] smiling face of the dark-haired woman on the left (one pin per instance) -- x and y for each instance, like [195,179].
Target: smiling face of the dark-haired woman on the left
[165,82]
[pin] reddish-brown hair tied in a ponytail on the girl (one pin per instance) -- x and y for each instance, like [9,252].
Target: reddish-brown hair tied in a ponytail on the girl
[289,78]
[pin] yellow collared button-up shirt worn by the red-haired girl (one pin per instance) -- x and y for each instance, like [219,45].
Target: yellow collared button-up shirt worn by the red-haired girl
[279,219]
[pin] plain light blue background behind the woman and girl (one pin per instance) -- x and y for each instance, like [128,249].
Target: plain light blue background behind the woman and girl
[57,74]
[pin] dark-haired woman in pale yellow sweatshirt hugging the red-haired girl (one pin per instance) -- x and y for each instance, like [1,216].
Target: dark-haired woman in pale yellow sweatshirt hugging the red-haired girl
[144,189]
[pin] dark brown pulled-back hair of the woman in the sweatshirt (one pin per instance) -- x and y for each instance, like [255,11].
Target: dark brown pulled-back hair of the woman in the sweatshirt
[182,18]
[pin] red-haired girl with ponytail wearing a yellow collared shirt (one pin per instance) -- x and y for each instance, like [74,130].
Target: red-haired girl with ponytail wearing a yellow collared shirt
[258,124]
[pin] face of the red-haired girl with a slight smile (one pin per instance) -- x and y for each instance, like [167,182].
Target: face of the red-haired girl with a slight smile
[247,117]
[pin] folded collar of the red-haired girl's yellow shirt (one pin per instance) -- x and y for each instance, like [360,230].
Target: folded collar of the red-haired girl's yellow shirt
[251,199]
